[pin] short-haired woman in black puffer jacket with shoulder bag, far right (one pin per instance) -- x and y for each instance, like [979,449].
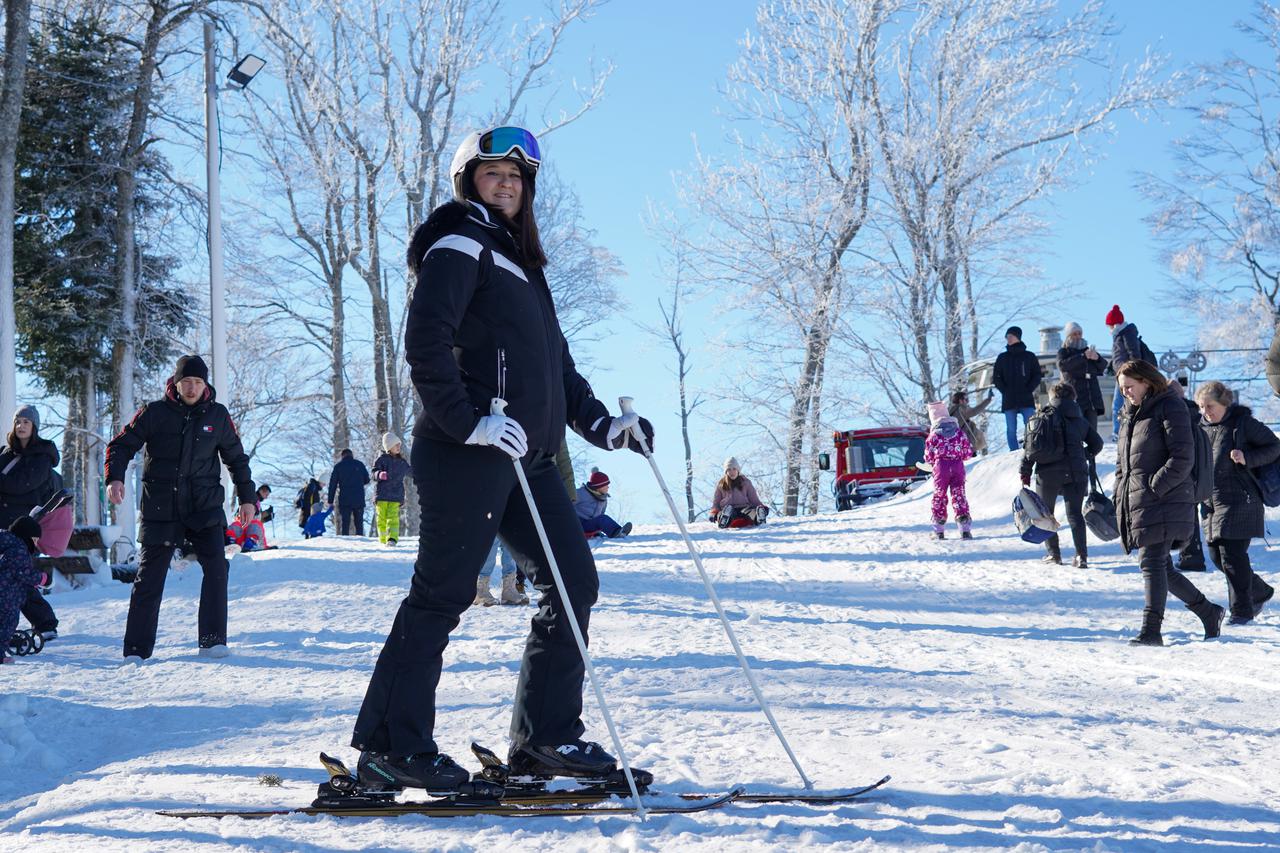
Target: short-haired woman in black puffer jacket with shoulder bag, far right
[1235,514]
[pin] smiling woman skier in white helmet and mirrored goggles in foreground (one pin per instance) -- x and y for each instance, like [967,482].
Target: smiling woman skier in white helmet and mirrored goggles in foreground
[482,326]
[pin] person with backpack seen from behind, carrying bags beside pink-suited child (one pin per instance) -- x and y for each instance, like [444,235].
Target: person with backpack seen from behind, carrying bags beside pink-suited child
[1069,475]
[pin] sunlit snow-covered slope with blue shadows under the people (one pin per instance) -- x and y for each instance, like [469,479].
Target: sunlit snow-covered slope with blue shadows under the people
[999,692]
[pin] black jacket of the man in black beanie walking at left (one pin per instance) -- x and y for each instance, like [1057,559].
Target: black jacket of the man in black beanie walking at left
[181,472]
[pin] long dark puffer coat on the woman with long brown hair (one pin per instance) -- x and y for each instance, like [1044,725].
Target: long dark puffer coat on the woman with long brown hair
[1155,495]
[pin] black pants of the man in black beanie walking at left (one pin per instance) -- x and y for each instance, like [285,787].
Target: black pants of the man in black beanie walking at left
[140,633]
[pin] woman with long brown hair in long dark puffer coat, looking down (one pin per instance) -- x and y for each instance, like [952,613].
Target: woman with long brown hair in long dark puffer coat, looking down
[1155,495]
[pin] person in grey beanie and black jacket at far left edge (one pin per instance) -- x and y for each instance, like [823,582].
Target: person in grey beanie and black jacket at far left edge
[28,480]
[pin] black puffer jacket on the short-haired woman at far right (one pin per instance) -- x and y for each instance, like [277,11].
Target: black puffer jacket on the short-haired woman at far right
[1236,510]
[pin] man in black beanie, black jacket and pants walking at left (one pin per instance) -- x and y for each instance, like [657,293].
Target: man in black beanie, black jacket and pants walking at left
[182,499]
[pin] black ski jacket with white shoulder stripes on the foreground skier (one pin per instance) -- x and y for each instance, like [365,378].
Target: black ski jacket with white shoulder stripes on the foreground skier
[482,326]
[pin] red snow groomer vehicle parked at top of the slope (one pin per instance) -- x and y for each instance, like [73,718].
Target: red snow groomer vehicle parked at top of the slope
[875,463]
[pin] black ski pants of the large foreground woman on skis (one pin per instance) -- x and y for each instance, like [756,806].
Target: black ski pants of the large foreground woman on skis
[469,495]
